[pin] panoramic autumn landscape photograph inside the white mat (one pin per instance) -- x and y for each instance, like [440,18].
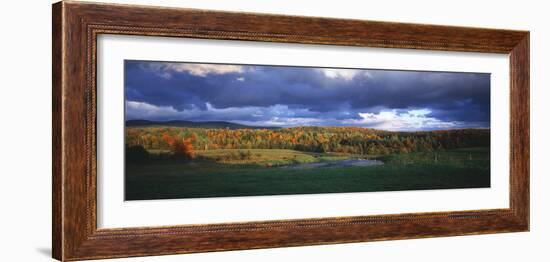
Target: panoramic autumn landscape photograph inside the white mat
[197,130]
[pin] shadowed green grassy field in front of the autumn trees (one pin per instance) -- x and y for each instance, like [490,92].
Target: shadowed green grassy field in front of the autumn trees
[232,172]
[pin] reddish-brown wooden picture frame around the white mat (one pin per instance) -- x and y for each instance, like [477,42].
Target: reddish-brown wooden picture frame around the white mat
[76,26]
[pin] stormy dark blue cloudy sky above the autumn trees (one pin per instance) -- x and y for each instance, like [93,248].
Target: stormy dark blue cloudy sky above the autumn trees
[304,96]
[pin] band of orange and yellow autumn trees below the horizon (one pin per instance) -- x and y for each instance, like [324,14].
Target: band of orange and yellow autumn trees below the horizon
[352,140]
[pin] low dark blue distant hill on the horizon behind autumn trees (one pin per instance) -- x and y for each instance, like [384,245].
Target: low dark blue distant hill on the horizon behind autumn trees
[184,123]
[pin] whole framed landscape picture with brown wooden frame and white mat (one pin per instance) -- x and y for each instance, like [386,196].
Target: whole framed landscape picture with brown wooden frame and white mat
[182,130]
